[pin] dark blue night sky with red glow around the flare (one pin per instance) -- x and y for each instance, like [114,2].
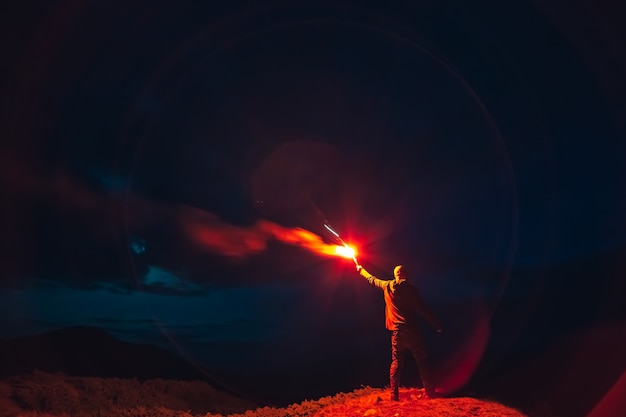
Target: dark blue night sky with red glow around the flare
[481,145]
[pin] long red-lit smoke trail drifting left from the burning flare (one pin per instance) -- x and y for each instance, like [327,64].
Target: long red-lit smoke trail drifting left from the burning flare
[204,231]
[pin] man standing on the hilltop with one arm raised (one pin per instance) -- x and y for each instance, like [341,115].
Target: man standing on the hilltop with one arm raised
[403,304]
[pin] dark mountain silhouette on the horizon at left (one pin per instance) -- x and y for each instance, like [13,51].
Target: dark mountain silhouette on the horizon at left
[90,351]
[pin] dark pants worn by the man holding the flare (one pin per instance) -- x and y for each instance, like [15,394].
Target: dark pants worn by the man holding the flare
[408,340]
